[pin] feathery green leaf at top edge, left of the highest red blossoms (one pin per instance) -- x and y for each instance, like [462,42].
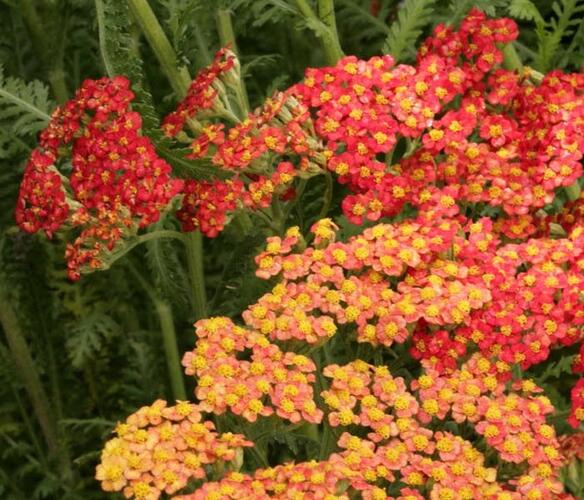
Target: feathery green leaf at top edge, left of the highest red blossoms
[412,18]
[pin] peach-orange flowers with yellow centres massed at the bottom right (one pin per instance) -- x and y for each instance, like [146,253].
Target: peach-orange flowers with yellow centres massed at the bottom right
[512,423]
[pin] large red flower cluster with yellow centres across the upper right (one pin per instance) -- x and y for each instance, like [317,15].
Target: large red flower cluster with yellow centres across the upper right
[473,133]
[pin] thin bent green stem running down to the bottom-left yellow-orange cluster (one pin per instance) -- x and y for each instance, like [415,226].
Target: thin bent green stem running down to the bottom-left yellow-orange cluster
[169,339]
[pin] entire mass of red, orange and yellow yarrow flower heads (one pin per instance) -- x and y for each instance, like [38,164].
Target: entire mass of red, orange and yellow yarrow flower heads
[407,351]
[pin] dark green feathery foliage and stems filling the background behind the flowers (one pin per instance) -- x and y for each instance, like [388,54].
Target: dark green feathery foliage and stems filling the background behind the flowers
[77,357]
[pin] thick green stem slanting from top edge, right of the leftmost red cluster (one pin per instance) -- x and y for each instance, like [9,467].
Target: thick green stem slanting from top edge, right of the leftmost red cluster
[178,76]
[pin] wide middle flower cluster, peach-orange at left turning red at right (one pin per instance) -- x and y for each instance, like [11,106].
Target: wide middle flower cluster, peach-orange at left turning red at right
[512,301]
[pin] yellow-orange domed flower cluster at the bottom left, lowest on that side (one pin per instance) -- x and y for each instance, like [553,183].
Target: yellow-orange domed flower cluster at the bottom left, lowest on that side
[161,448]
